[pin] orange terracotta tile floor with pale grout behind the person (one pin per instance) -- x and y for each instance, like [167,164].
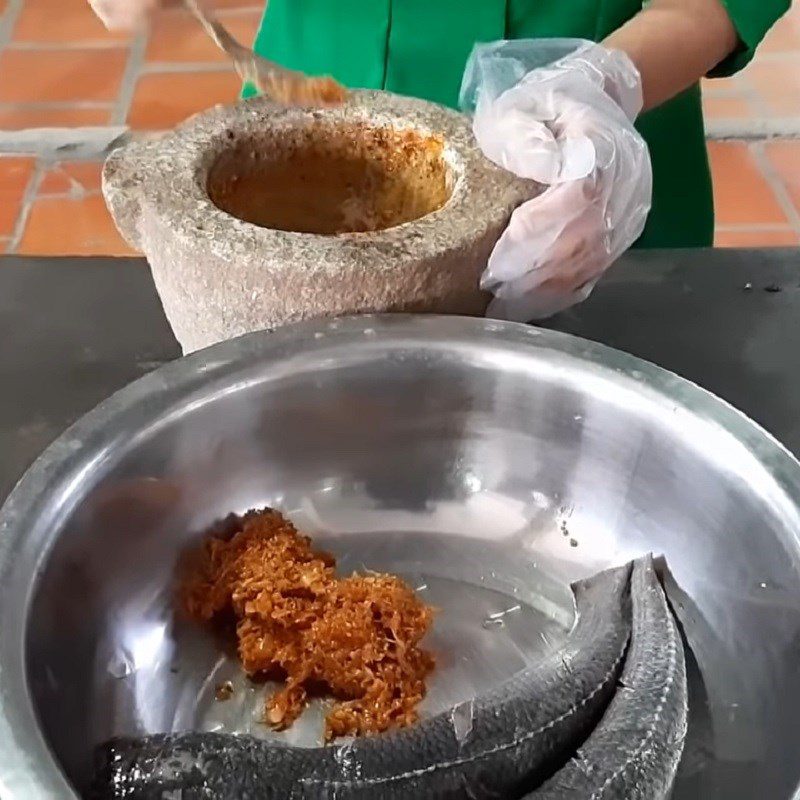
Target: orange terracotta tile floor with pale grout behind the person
[59,67]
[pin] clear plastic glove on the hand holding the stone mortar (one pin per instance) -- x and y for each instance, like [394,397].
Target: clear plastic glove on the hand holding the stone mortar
[559,111]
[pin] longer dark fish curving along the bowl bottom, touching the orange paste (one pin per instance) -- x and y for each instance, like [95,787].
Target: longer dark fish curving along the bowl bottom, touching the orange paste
[520,734]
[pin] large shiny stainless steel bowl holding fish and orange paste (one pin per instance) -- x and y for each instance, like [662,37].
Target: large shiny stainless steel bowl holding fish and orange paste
[489,463]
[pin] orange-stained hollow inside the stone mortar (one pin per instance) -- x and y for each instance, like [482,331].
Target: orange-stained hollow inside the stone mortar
[331,177]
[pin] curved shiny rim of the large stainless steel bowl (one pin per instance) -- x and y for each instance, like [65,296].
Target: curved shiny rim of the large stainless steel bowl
[28,769]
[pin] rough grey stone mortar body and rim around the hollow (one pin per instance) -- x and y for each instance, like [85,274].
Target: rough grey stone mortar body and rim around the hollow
[219,276]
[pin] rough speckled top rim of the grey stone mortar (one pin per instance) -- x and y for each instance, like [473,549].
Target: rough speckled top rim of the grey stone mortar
[178,164]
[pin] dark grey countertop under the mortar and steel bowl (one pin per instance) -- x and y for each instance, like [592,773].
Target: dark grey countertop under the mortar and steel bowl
[74,330]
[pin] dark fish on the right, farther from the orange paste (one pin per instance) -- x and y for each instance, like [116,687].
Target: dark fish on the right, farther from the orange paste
[633,753]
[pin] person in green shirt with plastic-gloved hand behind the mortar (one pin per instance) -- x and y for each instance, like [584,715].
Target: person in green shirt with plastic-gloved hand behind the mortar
[614,129]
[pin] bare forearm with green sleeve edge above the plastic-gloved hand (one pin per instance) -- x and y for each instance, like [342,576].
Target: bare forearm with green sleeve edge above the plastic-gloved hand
[674,43]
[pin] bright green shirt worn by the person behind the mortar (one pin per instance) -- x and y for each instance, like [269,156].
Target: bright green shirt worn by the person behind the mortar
[420,48]
